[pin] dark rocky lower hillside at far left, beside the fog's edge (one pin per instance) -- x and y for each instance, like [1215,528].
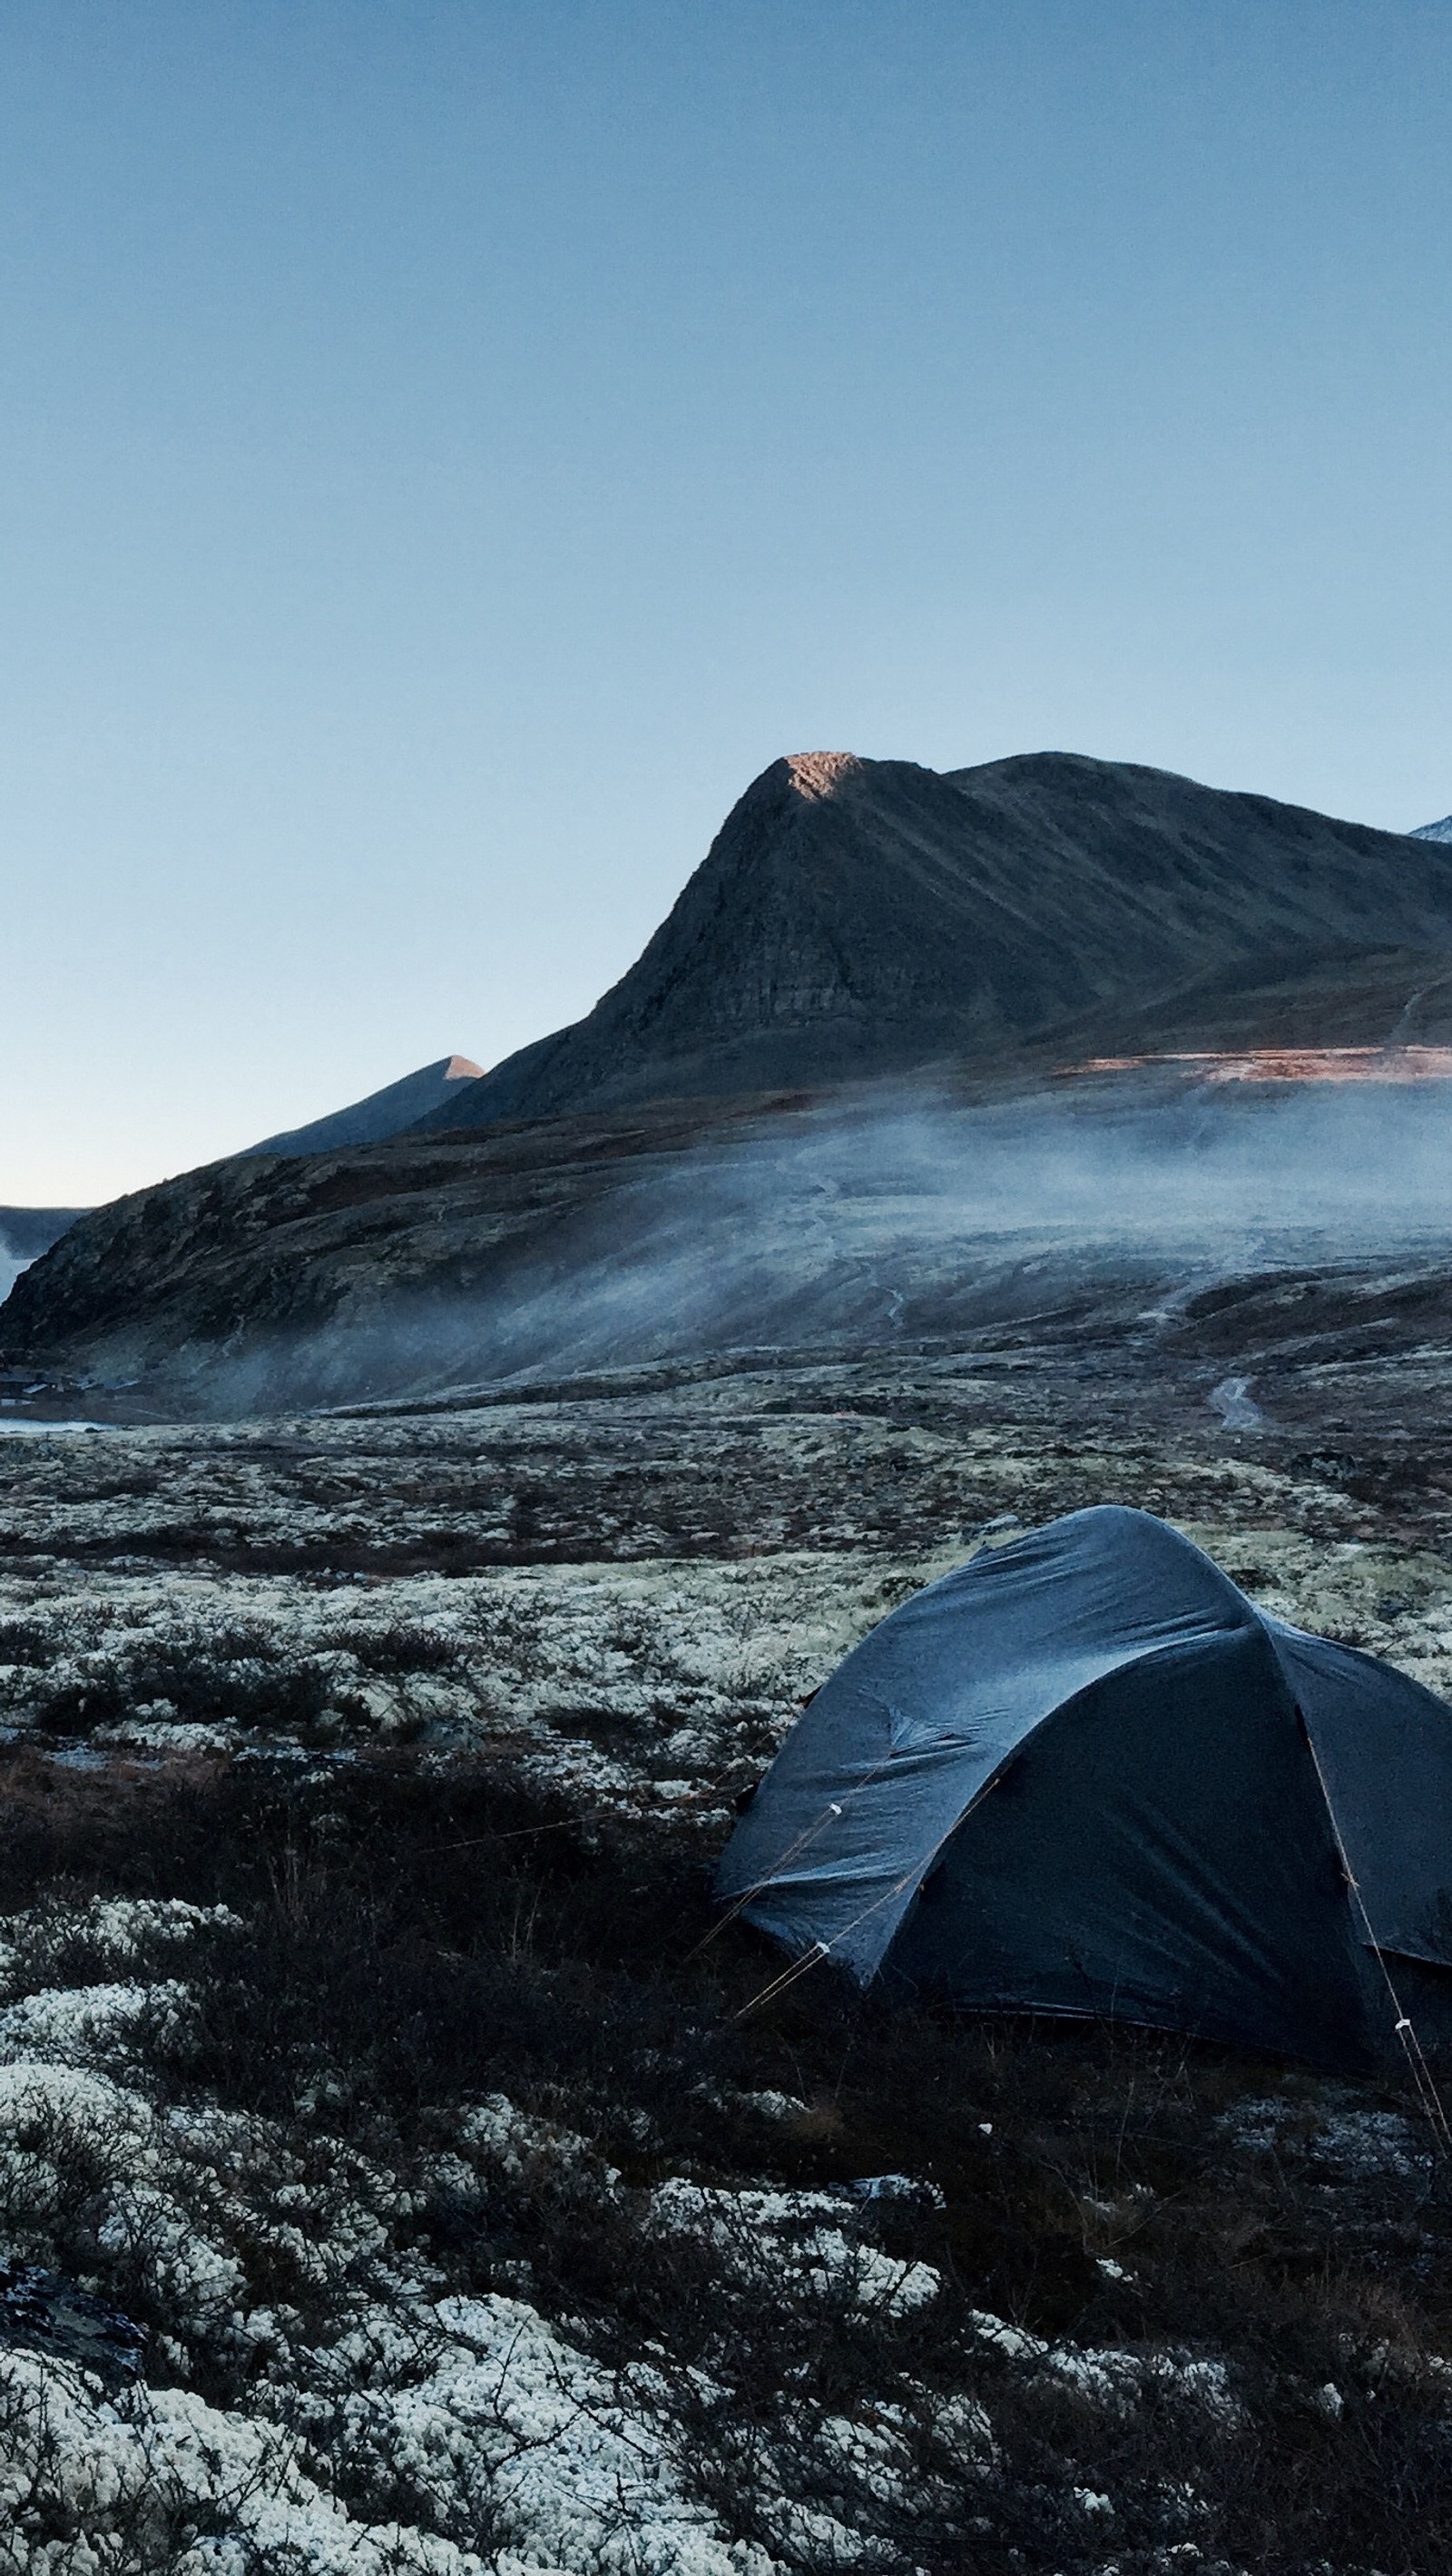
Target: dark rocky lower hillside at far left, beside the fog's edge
[259,1279]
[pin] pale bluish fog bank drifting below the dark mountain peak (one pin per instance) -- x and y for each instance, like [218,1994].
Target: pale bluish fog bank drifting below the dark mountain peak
[926,1217]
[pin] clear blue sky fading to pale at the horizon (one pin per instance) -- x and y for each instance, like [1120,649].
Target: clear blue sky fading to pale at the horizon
[447,450]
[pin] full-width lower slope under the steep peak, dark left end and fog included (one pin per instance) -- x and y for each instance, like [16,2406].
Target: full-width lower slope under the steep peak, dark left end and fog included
[691,1235]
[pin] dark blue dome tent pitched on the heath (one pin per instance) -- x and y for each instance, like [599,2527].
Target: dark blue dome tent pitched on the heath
[1088,1776]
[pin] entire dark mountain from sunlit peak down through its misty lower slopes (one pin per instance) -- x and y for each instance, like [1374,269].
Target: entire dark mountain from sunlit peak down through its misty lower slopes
[668,1176]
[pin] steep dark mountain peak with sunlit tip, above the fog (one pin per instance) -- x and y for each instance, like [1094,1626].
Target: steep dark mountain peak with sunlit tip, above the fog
[869,916]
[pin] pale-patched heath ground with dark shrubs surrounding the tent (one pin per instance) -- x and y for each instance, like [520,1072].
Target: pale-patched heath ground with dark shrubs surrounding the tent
[372,2052]
